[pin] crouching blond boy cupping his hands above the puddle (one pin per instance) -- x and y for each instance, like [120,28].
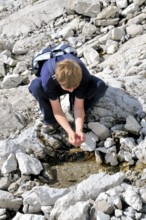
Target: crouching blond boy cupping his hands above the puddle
[70,76]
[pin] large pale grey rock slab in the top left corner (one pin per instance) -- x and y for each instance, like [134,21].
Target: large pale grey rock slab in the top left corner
[30,17]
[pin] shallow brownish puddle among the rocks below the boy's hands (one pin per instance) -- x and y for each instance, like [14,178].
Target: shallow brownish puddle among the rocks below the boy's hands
[70,173]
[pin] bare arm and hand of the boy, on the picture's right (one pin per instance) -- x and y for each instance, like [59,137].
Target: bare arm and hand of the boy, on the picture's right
[79,115]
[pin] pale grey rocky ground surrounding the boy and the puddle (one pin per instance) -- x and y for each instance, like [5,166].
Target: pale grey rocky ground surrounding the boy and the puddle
[110,39]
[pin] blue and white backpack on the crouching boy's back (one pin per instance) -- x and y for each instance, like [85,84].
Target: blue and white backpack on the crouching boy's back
[50,53]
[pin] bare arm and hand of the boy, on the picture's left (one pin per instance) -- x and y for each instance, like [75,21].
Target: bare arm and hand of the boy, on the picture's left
[61,119]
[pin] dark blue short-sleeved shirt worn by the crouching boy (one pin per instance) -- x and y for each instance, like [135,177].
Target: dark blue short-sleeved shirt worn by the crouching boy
[53,89]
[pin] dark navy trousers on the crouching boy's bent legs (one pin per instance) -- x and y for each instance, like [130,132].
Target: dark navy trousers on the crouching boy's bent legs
[95,91]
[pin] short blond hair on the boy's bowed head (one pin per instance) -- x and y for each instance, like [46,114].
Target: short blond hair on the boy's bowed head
[68,74]
